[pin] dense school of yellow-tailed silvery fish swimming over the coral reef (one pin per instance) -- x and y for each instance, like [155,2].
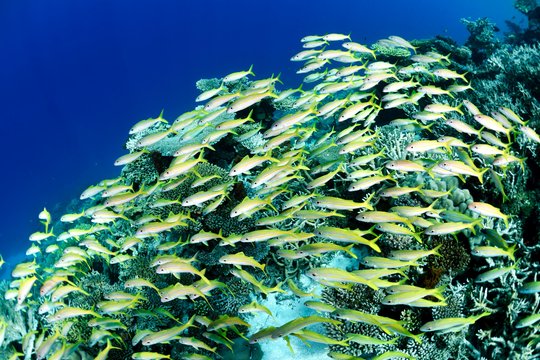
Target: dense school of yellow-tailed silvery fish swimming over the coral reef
[319,160]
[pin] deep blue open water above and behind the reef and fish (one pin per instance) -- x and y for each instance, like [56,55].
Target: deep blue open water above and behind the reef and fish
[75,75]
